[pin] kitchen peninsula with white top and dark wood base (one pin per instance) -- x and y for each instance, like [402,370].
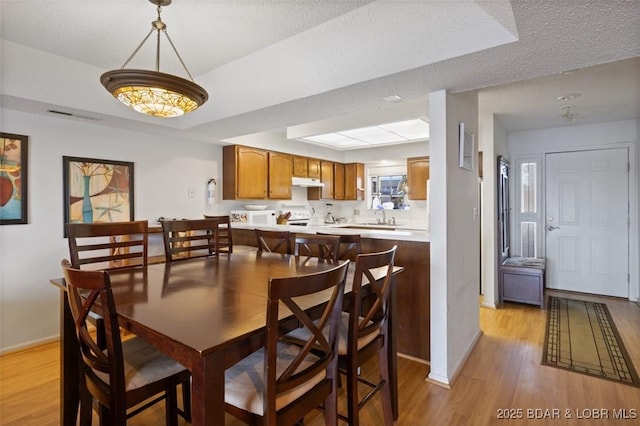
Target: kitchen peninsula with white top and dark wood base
[413,253]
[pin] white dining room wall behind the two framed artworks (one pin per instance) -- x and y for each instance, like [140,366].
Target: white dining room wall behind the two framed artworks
[30,254]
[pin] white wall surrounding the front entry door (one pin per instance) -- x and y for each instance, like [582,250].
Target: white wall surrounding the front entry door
[571,138]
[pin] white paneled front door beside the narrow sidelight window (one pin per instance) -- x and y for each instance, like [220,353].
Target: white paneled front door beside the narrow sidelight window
[587,221]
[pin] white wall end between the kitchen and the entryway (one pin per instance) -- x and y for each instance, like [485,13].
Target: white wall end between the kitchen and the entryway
[455,239]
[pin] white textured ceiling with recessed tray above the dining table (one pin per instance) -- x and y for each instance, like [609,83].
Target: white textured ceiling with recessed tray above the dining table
[276,65]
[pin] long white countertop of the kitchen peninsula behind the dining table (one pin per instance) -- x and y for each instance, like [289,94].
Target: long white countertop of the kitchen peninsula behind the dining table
[384,232]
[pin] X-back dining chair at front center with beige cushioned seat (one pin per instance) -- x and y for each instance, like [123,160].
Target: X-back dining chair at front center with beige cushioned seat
[281,382]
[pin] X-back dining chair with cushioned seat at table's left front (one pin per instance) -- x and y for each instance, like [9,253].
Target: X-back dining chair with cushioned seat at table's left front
[125,373]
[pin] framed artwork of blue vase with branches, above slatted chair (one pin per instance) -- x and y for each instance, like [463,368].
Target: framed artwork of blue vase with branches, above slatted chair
[97,190]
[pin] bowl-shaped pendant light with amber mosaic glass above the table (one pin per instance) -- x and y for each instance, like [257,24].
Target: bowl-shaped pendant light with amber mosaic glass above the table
[153,92]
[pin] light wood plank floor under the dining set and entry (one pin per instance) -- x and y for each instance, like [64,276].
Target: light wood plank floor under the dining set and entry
[503,372]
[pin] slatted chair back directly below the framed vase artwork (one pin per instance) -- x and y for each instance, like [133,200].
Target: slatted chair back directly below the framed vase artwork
[108,245]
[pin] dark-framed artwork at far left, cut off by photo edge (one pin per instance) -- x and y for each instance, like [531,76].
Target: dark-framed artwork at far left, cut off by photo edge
[13,179]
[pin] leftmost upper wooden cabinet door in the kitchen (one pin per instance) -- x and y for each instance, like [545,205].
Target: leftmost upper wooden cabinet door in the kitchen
[251,173]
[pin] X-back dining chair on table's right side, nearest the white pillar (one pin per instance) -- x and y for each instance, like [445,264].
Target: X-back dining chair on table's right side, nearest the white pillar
[364,333]
